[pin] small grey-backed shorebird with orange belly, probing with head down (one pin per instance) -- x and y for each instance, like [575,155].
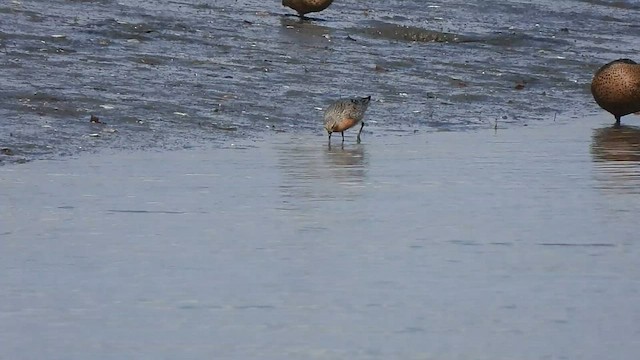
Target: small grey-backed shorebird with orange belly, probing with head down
[345,114]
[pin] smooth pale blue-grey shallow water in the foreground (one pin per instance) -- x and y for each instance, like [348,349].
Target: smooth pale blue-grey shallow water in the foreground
[520,243]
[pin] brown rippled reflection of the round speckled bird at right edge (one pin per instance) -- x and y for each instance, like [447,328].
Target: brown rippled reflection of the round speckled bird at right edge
[616,154]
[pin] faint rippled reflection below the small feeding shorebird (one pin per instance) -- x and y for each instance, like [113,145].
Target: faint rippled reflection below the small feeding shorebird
[320,173]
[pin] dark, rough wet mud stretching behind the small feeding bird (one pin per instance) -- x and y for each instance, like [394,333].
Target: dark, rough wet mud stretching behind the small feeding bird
[176,74]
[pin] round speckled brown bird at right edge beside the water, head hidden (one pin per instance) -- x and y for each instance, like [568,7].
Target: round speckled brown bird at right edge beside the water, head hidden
[616,88]
